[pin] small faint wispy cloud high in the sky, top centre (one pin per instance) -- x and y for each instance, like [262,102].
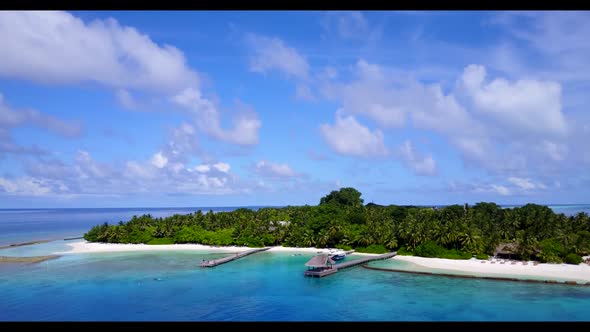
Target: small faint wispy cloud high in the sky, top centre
[273,54]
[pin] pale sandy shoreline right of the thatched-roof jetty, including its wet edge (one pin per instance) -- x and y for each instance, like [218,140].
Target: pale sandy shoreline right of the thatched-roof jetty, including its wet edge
[484,269]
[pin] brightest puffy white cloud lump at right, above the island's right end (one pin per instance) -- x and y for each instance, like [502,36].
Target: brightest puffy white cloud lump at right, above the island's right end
[524,104]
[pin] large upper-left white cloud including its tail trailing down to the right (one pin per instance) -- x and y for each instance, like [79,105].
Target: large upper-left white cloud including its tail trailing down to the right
[53,47]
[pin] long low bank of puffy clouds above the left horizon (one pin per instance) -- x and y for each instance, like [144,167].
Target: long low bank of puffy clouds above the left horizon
[86,176]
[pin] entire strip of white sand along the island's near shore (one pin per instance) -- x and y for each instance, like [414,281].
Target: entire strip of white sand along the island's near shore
[472,268]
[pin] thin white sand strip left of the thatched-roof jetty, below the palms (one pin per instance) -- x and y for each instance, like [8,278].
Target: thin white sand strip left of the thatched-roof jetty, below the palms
[83,247]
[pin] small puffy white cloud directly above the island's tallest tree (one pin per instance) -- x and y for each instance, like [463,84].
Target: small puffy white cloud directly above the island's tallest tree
[348,137]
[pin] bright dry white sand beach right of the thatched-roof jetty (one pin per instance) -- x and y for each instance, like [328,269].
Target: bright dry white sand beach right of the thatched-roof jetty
[560,272]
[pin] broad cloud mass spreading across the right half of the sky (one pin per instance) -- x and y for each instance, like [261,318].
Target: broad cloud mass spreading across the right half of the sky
[505,126]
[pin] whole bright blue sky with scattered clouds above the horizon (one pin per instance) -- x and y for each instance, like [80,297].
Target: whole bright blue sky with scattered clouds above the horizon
[163,109]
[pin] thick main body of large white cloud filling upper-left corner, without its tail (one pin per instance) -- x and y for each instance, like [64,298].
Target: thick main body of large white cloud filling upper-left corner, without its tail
[57,47]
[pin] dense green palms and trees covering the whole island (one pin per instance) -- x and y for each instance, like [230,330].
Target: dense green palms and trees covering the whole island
[342,220]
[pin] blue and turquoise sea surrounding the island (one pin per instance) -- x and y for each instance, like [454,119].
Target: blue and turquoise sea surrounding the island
[269,286]
